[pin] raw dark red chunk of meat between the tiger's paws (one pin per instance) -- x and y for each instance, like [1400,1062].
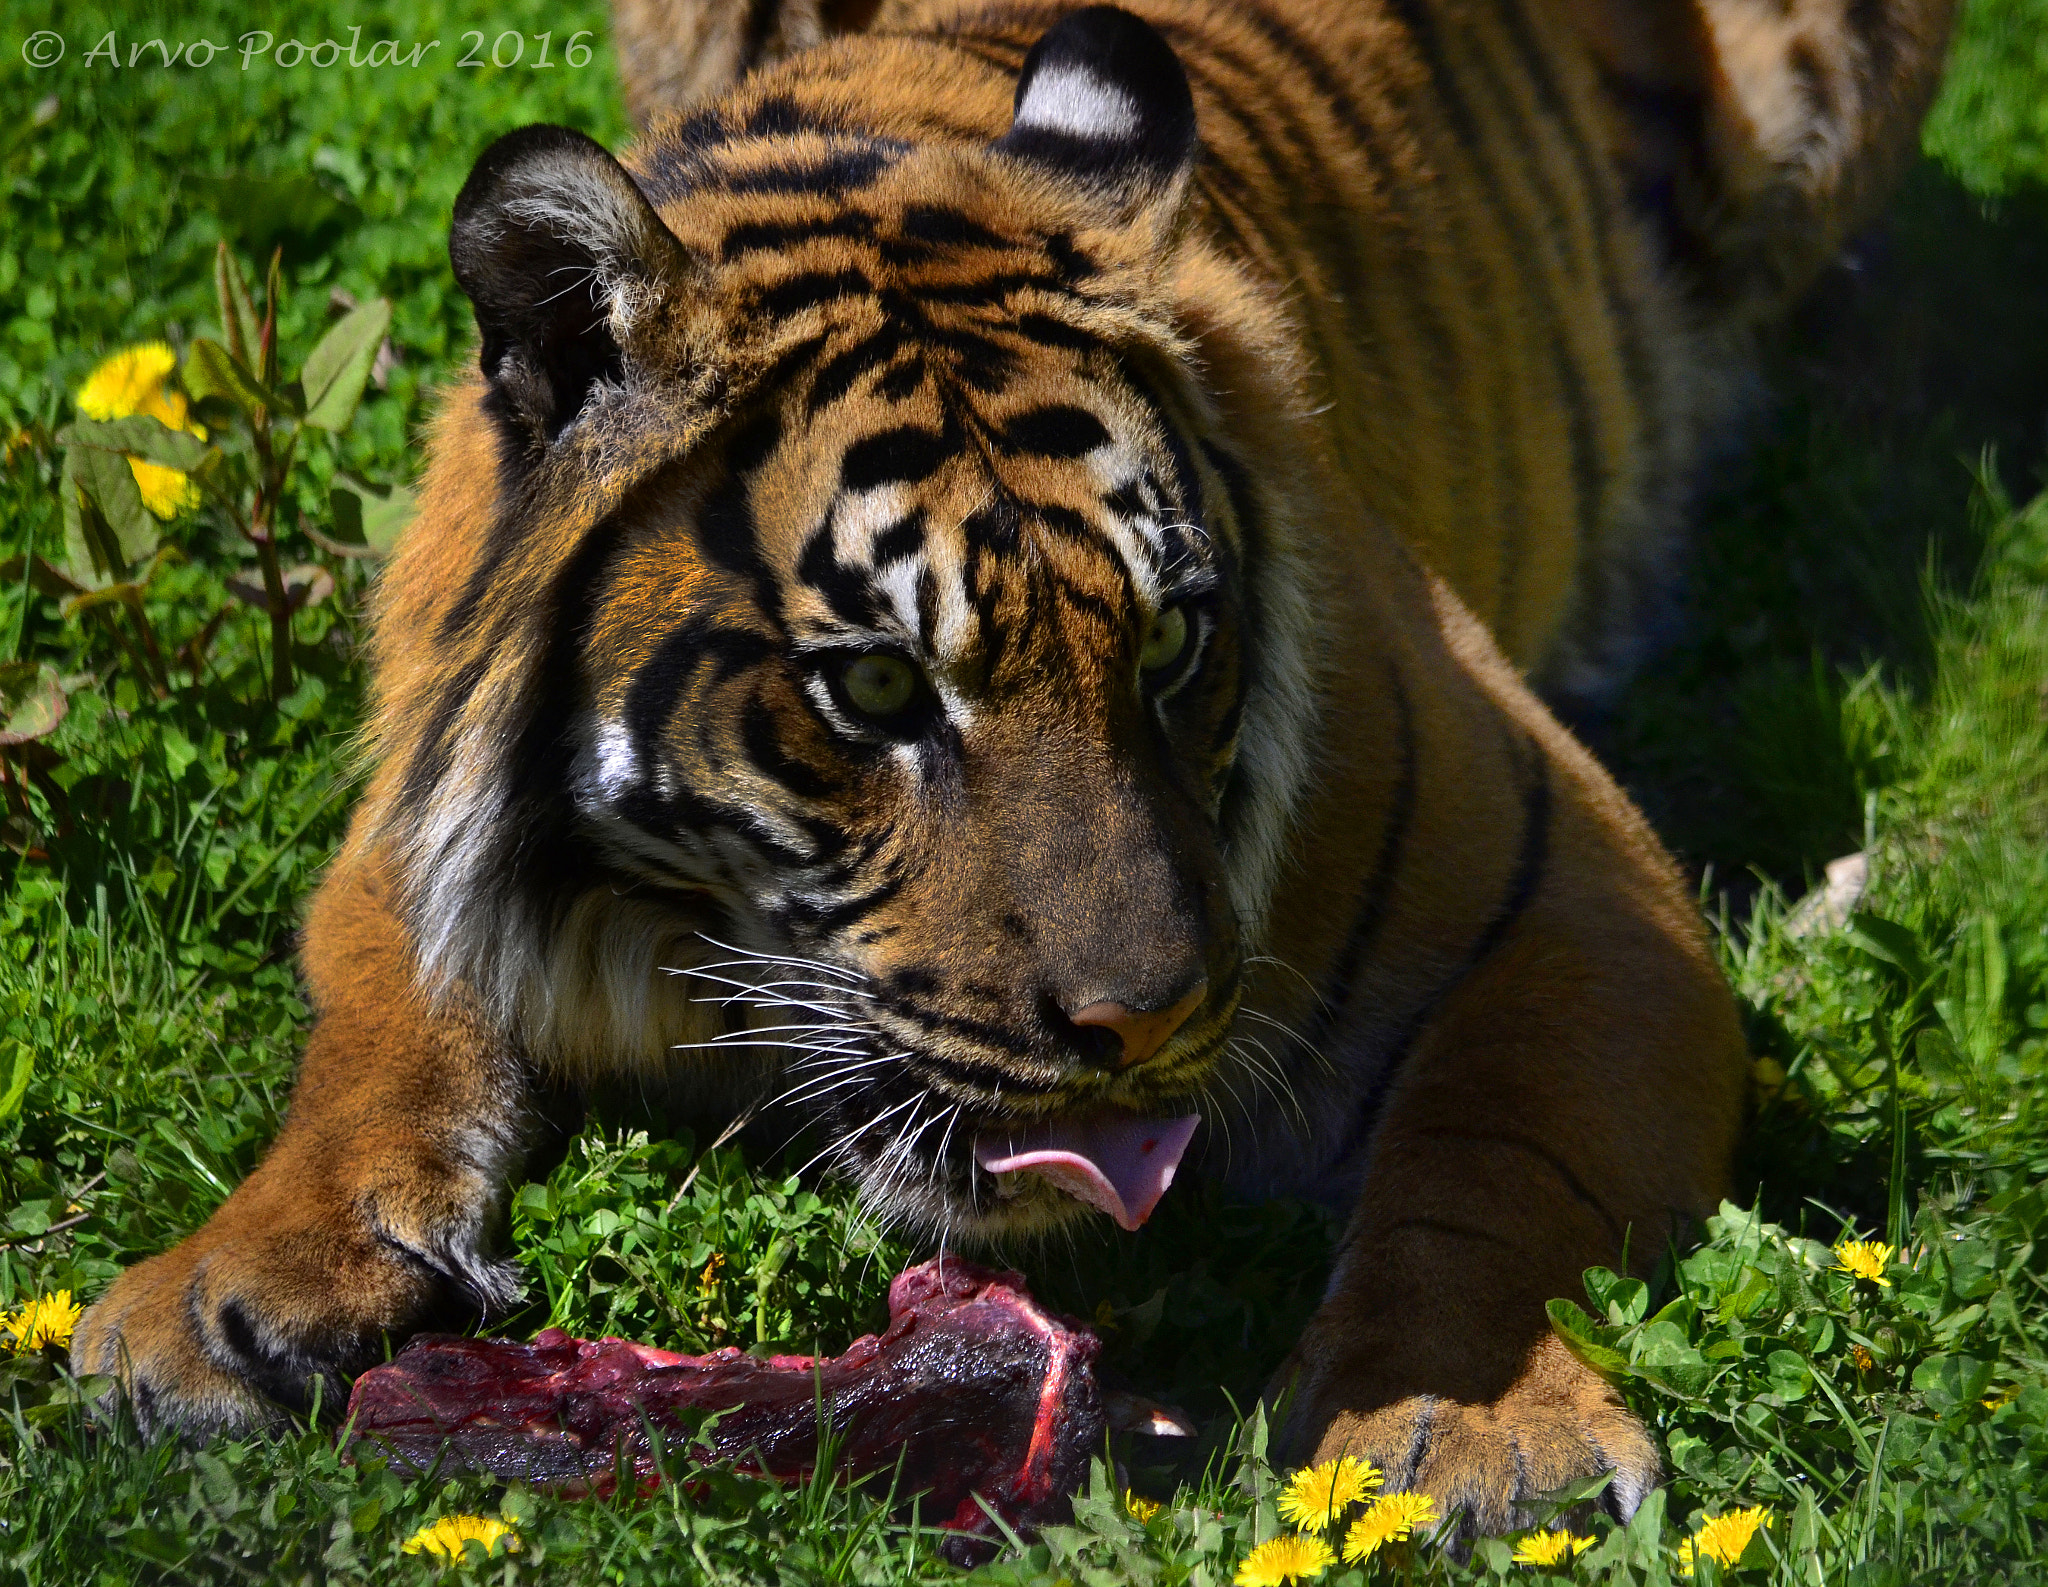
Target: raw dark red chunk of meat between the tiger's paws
[972,1385]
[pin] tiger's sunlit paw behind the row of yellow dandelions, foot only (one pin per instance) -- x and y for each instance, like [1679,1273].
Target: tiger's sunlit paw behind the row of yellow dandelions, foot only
[1484,1463]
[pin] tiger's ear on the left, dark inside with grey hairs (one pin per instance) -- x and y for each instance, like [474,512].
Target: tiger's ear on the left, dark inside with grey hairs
[556,249]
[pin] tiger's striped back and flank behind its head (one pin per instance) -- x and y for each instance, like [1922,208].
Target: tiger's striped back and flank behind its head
[1525,243]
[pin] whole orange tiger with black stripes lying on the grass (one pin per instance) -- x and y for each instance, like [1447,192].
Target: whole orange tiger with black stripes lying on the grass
[1005,583]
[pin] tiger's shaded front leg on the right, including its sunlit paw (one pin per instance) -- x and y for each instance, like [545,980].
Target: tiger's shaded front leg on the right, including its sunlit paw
[1574,1101]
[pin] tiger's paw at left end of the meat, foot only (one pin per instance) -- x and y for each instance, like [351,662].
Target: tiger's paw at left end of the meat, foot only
[234,1328]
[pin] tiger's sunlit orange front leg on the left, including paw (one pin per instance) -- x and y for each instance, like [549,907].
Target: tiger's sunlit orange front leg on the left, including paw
[370,1215]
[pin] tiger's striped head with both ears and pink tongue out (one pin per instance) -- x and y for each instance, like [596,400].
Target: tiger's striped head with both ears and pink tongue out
[843,562]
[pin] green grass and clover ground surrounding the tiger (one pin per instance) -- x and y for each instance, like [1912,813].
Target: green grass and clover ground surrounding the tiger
[1861,662]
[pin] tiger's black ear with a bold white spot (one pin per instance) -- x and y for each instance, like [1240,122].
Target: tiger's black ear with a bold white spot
[1103,99]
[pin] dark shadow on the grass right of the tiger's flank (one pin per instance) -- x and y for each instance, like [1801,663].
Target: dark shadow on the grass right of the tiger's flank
[1912,359]
